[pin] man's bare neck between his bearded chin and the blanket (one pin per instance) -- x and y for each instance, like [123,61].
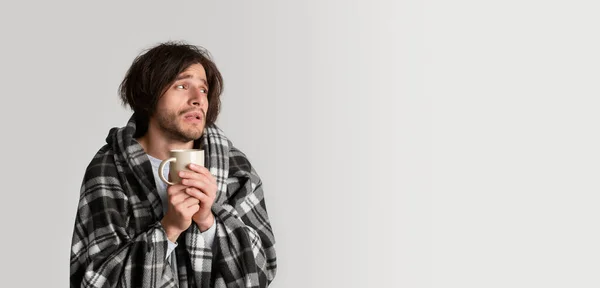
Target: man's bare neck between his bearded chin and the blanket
[157,145]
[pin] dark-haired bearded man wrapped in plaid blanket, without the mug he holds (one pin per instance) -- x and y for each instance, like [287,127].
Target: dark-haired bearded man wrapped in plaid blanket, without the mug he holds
[210,230]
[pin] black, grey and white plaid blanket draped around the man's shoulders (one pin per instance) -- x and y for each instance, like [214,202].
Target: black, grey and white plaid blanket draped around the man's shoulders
[118,240]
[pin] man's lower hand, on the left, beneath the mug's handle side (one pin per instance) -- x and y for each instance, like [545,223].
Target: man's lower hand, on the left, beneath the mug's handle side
[180,210]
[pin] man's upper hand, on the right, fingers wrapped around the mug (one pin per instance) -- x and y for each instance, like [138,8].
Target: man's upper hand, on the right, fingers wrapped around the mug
[201,185]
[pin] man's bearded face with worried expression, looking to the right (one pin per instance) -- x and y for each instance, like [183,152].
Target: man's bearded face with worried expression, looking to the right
[181,112]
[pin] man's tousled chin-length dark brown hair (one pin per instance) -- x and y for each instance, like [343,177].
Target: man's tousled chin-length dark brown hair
[152,72]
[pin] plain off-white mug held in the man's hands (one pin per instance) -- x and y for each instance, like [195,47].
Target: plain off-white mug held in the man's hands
[180,159]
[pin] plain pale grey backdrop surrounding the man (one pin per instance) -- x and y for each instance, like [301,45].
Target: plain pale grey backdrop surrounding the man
[402,144]
